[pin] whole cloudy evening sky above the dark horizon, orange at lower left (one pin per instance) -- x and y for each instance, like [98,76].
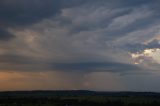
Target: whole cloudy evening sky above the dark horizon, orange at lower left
[101,45]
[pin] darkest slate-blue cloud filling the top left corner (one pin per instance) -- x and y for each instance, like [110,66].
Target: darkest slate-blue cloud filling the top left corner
[22,12]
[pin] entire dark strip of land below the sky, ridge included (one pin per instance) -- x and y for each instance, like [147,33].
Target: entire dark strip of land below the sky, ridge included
[78,99]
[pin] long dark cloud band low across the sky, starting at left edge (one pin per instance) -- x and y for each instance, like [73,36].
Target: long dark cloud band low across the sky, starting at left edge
[25,63]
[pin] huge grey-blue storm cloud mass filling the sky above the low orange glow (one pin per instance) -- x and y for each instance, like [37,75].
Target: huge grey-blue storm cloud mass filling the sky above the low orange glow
[78,31]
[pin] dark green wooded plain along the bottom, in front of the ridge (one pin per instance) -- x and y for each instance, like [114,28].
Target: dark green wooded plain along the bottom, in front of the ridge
[79,101]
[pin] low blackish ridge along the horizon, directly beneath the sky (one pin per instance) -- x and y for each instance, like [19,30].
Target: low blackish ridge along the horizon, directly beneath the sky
[76,93]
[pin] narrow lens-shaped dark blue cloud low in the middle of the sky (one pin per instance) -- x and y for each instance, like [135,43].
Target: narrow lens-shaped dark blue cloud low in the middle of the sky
[95,66]
